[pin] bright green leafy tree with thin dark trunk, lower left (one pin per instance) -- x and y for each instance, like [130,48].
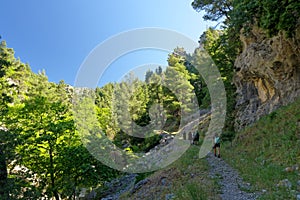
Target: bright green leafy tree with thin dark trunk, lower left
[46,127]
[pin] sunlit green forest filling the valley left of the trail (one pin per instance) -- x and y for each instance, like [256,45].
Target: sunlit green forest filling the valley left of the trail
[41,150]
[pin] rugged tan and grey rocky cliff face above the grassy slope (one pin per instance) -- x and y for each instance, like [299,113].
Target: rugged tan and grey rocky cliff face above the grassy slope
[267,75]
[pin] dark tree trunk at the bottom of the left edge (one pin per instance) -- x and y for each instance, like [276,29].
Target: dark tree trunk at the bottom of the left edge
[4,194]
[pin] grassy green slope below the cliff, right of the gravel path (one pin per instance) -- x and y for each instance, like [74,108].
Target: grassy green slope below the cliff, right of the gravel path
[267,153]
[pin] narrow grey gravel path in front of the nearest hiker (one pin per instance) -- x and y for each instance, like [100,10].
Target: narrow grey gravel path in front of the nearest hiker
[232,185]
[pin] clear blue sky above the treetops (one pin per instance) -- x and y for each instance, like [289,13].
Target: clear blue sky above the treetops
[57,35]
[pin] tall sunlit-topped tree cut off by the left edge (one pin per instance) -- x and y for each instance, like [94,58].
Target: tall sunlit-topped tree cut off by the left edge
[13,86]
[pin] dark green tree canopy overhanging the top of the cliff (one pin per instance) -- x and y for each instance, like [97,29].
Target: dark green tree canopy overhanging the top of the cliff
[271,15]
